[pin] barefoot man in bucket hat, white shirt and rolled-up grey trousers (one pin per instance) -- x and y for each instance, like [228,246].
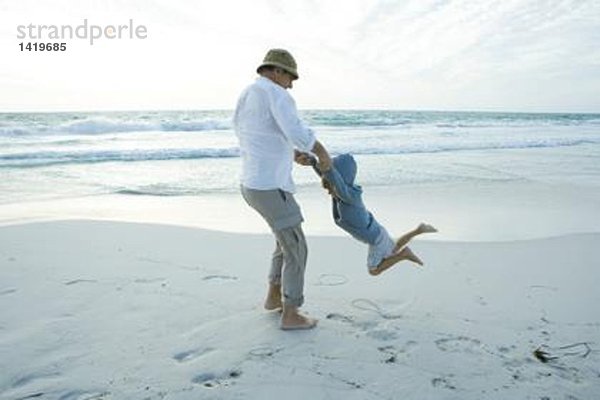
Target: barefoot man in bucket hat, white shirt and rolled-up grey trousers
[271,137]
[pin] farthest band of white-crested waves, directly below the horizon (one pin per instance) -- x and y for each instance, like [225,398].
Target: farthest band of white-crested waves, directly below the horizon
[42,124]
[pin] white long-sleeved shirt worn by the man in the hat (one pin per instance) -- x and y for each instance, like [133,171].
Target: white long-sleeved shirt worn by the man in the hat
[268,128]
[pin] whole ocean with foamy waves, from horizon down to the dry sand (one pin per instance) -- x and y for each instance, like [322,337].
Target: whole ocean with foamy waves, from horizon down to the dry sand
[435,165]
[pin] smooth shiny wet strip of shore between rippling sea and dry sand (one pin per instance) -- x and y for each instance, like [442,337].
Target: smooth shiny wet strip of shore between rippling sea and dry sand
[468,212]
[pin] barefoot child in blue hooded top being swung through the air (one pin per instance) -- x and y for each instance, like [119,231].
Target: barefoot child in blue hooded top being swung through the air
[351,215]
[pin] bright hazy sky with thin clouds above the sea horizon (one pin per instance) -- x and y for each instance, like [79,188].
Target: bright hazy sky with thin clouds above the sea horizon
[508,55]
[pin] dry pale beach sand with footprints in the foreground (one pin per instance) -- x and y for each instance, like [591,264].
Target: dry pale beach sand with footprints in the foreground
[107,310]
